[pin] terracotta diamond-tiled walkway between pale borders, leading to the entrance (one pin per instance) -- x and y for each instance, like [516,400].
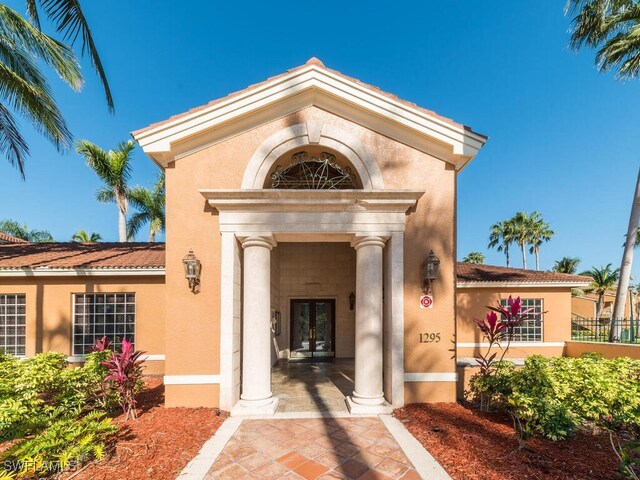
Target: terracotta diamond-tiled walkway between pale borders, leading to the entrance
[312,448]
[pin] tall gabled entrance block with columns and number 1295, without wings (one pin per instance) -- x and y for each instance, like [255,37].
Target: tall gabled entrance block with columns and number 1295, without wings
[310,165]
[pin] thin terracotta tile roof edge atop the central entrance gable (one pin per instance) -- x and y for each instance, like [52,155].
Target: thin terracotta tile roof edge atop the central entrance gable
[312,61]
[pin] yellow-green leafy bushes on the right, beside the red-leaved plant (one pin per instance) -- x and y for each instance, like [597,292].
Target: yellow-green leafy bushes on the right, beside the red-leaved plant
[555,396]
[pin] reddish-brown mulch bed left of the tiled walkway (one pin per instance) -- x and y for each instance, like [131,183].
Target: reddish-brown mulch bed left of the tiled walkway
[159,443]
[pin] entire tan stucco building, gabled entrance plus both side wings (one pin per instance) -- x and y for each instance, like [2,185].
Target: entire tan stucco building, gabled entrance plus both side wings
[311,202]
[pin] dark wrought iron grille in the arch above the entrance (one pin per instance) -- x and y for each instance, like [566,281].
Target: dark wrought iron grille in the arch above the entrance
[313,173]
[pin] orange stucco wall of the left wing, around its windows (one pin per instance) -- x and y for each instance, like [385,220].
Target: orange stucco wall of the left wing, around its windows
[49,311]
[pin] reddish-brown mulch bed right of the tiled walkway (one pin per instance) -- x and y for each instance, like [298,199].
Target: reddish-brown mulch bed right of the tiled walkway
[473,445]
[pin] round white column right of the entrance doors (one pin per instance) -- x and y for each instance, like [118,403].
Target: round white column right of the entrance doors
[368,396]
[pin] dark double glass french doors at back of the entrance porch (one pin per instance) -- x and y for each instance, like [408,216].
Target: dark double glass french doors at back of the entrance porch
[312,328]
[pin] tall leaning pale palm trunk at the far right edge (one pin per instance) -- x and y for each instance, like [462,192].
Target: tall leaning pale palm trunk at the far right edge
[625,267]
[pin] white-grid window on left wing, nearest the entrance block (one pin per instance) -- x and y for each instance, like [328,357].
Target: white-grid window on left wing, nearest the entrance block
[96,315]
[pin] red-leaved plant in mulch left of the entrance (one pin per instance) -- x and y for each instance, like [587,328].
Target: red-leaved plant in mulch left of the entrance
[125,371]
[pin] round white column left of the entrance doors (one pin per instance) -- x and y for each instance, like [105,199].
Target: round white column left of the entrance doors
[256,396]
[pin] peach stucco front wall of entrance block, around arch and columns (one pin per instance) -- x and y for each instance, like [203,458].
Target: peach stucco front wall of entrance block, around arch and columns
[191,224]
